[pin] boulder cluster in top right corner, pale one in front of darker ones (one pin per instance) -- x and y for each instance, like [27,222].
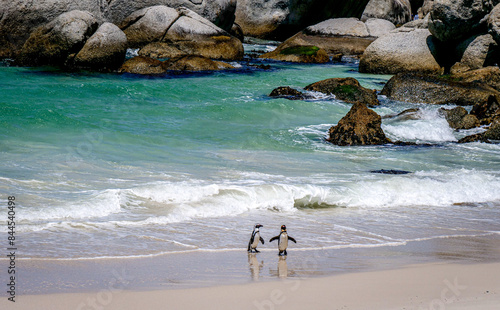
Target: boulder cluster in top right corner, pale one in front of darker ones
[453,36]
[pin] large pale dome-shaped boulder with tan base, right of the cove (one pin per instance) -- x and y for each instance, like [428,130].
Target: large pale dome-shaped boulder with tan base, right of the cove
[402,50]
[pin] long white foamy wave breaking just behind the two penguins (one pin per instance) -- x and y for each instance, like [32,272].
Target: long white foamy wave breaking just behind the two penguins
[171,202]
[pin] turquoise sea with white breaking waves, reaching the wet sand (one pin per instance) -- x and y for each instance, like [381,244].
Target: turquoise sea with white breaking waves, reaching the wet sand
[108,165]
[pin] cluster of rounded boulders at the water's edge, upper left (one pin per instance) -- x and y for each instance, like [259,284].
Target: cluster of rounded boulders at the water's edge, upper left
[82,39]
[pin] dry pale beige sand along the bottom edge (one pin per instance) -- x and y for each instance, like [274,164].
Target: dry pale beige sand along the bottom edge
[430,286]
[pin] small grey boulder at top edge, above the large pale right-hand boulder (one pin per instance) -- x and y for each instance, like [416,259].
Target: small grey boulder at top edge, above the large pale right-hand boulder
[397,12]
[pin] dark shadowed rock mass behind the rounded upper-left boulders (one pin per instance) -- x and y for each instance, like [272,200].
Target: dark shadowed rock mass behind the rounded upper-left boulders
[19,18]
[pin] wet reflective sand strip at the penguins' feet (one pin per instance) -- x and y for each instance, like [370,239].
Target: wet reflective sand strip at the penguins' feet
[209,270]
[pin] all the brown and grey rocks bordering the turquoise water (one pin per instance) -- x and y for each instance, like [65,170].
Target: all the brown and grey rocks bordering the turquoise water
[447,56]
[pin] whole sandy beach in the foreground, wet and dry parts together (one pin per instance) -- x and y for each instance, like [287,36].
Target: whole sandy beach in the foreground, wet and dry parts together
[457,273]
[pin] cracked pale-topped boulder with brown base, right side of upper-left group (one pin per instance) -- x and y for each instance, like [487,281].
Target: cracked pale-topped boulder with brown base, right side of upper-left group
[168,32]
